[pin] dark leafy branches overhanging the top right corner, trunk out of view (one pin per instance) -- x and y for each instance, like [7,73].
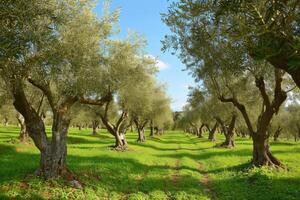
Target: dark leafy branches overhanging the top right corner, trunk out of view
[267,29]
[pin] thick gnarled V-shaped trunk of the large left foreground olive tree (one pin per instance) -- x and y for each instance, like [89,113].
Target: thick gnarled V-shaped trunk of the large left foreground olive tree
[54,152]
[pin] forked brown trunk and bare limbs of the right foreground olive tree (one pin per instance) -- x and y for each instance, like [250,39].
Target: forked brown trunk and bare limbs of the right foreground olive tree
[262,155]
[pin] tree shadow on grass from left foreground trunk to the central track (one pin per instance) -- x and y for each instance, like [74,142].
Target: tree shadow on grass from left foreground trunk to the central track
[128,175]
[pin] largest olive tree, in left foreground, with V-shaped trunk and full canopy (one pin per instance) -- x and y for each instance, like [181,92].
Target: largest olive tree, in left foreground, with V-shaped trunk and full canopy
[55,47]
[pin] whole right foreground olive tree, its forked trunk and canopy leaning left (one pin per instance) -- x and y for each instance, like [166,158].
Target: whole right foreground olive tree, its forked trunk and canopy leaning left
[226,65]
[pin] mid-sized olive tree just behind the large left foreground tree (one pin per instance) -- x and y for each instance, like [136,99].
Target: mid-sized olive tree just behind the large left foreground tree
[128,75]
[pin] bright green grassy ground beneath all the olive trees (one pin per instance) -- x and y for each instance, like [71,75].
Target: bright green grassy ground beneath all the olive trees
[173,166]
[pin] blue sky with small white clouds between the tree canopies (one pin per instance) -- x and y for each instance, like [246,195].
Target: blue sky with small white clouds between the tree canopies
[143,17]
